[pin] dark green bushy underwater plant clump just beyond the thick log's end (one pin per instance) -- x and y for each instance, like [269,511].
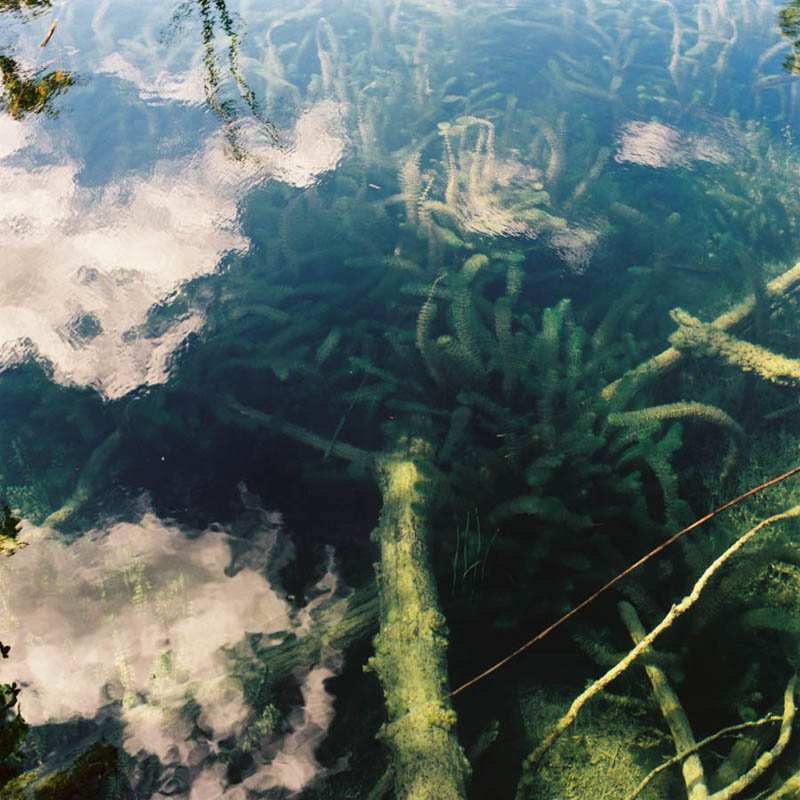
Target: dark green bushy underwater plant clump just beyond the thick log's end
[522,429]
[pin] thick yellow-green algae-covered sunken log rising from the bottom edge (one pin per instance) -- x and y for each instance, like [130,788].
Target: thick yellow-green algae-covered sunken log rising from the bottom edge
[411,647]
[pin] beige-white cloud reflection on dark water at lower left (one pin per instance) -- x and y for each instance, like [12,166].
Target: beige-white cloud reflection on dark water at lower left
[133,617]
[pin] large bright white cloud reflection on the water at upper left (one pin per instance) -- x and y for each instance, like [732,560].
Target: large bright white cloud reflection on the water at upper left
[82,267]
